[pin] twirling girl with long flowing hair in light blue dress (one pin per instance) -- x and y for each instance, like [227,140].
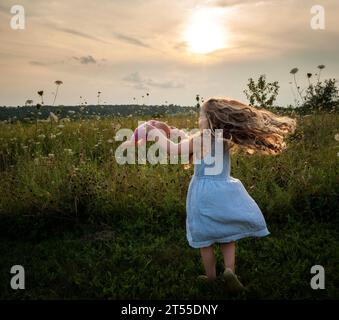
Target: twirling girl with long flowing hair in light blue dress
[218,207]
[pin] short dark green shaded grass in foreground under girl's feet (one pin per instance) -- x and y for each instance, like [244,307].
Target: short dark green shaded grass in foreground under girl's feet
[121,262]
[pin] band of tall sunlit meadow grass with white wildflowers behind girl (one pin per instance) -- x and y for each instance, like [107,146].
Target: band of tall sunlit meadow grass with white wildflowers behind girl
[69,170]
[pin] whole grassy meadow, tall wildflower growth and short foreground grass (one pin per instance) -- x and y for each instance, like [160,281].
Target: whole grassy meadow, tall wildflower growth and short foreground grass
[85,227]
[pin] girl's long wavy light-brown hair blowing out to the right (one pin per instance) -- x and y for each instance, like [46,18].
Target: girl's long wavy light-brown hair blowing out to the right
[244,126]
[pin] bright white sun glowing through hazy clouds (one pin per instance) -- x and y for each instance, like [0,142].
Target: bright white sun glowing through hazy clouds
[205,32]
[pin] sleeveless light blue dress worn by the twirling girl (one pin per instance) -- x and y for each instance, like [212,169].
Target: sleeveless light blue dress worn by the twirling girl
[218,207]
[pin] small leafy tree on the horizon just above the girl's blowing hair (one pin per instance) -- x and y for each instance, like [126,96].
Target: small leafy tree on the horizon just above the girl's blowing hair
[261,94]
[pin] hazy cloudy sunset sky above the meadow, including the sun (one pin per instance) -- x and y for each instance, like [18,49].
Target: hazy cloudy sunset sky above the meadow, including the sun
[171,49]
